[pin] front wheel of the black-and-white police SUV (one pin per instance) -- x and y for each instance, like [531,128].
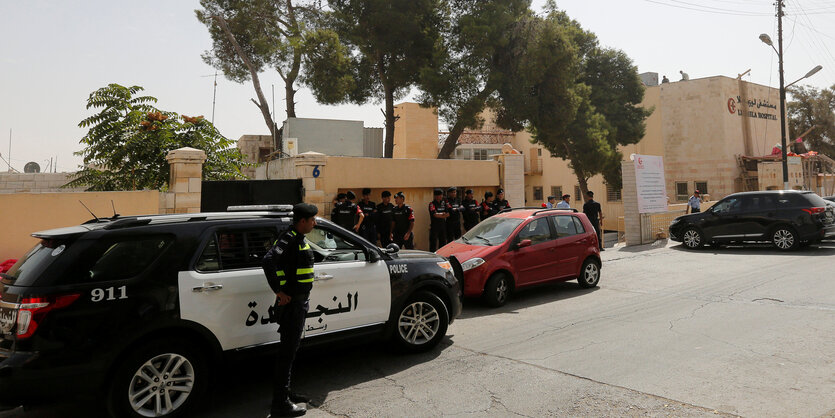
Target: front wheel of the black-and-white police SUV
[422,323]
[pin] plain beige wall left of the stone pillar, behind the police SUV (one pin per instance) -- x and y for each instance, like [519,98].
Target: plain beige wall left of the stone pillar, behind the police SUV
[21,214]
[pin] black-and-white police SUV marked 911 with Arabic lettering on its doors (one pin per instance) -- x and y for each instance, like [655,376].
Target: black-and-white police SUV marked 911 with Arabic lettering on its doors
[140,311]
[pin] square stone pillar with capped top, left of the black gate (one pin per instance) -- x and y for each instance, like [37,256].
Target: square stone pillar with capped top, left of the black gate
[186,180]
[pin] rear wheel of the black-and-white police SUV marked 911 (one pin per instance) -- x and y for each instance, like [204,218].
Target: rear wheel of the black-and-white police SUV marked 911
[160,379]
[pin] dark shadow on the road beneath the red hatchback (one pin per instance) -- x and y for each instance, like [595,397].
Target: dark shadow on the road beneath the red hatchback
[525,298]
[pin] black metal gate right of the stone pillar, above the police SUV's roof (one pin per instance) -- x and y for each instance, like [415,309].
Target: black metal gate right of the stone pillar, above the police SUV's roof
[216,196]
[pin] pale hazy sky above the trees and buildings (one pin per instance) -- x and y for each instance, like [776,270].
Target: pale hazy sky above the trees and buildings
[53,54]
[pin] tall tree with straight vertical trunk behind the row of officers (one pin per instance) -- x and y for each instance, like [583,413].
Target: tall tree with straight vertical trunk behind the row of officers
[385,46]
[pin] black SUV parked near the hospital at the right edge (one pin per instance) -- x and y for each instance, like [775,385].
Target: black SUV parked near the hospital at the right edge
[786,218]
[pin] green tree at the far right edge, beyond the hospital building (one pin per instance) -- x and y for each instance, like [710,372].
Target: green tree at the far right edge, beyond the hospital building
[811,108]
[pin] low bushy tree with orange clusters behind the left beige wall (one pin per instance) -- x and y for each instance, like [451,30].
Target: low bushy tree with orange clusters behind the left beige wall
[128,139]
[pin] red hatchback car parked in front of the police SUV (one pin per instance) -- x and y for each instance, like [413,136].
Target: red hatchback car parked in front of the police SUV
[523,247]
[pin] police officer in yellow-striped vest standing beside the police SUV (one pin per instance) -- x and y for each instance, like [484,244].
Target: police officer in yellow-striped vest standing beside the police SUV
[288,266]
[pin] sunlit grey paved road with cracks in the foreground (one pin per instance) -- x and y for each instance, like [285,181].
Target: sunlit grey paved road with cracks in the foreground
[669,332]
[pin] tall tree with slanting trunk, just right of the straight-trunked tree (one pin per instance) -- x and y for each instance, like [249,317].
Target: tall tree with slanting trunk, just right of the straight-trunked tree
[479,40]
